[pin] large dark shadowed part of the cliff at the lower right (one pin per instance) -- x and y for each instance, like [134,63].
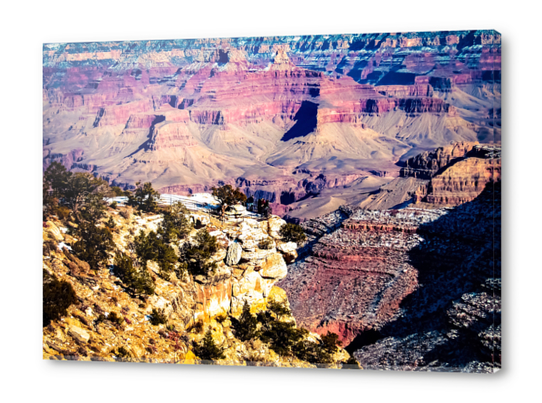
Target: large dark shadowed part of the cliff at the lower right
[451,314]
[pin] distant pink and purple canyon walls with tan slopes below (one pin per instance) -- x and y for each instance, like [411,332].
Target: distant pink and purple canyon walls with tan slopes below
[189,114]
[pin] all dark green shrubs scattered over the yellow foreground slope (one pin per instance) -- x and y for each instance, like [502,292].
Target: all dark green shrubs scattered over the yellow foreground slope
[86,209]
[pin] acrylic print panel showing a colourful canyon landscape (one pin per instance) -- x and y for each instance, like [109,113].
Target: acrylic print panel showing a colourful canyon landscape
[311,201]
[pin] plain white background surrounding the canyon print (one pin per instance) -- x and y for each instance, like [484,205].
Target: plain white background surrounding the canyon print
[26,25]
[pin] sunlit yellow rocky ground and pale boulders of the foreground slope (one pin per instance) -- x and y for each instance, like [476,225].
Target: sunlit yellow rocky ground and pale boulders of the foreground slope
[110,323]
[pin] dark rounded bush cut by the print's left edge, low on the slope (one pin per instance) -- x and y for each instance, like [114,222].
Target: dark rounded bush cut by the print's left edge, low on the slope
[58,296]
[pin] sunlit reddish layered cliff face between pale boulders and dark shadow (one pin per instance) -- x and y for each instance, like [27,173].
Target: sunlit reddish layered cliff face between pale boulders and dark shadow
[355,277]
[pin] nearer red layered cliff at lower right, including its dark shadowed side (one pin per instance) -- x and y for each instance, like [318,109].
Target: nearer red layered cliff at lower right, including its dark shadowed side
[409,289]
